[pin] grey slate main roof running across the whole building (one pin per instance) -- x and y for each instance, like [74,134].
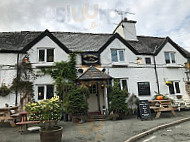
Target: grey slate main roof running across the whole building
[82,42]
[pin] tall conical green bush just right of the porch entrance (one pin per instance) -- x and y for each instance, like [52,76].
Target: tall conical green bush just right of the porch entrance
[118,100]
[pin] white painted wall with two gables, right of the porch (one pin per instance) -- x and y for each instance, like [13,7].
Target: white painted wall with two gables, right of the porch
[145,73]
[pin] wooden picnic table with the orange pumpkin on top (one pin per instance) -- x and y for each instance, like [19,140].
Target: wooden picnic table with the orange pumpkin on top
[161,105]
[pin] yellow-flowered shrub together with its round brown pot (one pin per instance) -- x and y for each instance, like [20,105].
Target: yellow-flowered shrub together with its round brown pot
[49,112]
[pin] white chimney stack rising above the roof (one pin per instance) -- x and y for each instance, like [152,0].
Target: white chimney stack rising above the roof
[127,30]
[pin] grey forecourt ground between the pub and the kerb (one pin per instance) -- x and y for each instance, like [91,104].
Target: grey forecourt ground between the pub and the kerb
[99,131]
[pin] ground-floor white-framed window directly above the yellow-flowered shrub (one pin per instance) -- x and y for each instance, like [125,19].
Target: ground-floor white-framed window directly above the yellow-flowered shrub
[45,92]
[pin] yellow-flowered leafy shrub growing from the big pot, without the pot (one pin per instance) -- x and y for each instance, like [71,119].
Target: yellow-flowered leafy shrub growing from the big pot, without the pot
[46,111]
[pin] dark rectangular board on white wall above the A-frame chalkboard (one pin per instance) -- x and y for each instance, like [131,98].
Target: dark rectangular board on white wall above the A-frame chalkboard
[144,88]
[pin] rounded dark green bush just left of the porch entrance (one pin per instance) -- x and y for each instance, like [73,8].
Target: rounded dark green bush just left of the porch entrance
[76,101]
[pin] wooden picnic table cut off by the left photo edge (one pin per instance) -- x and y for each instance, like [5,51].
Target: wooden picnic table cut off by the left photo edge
[10,114]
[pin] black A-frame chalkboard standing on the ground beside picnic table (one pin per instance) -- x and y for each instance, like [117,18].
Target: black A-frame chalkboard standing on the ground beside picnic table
[144,109]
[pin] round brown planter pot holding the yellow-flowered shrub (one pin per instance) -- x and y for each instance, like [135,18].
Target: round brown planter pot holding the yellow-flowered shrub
[53,135]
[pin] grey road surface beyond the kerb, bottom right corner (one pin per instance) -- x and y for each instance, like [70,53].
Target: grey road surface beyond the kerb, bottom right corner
[177,133]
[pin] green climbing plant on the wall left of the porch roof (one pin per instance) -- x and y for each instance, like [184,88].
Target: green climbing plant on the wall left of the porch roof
[64,75]
